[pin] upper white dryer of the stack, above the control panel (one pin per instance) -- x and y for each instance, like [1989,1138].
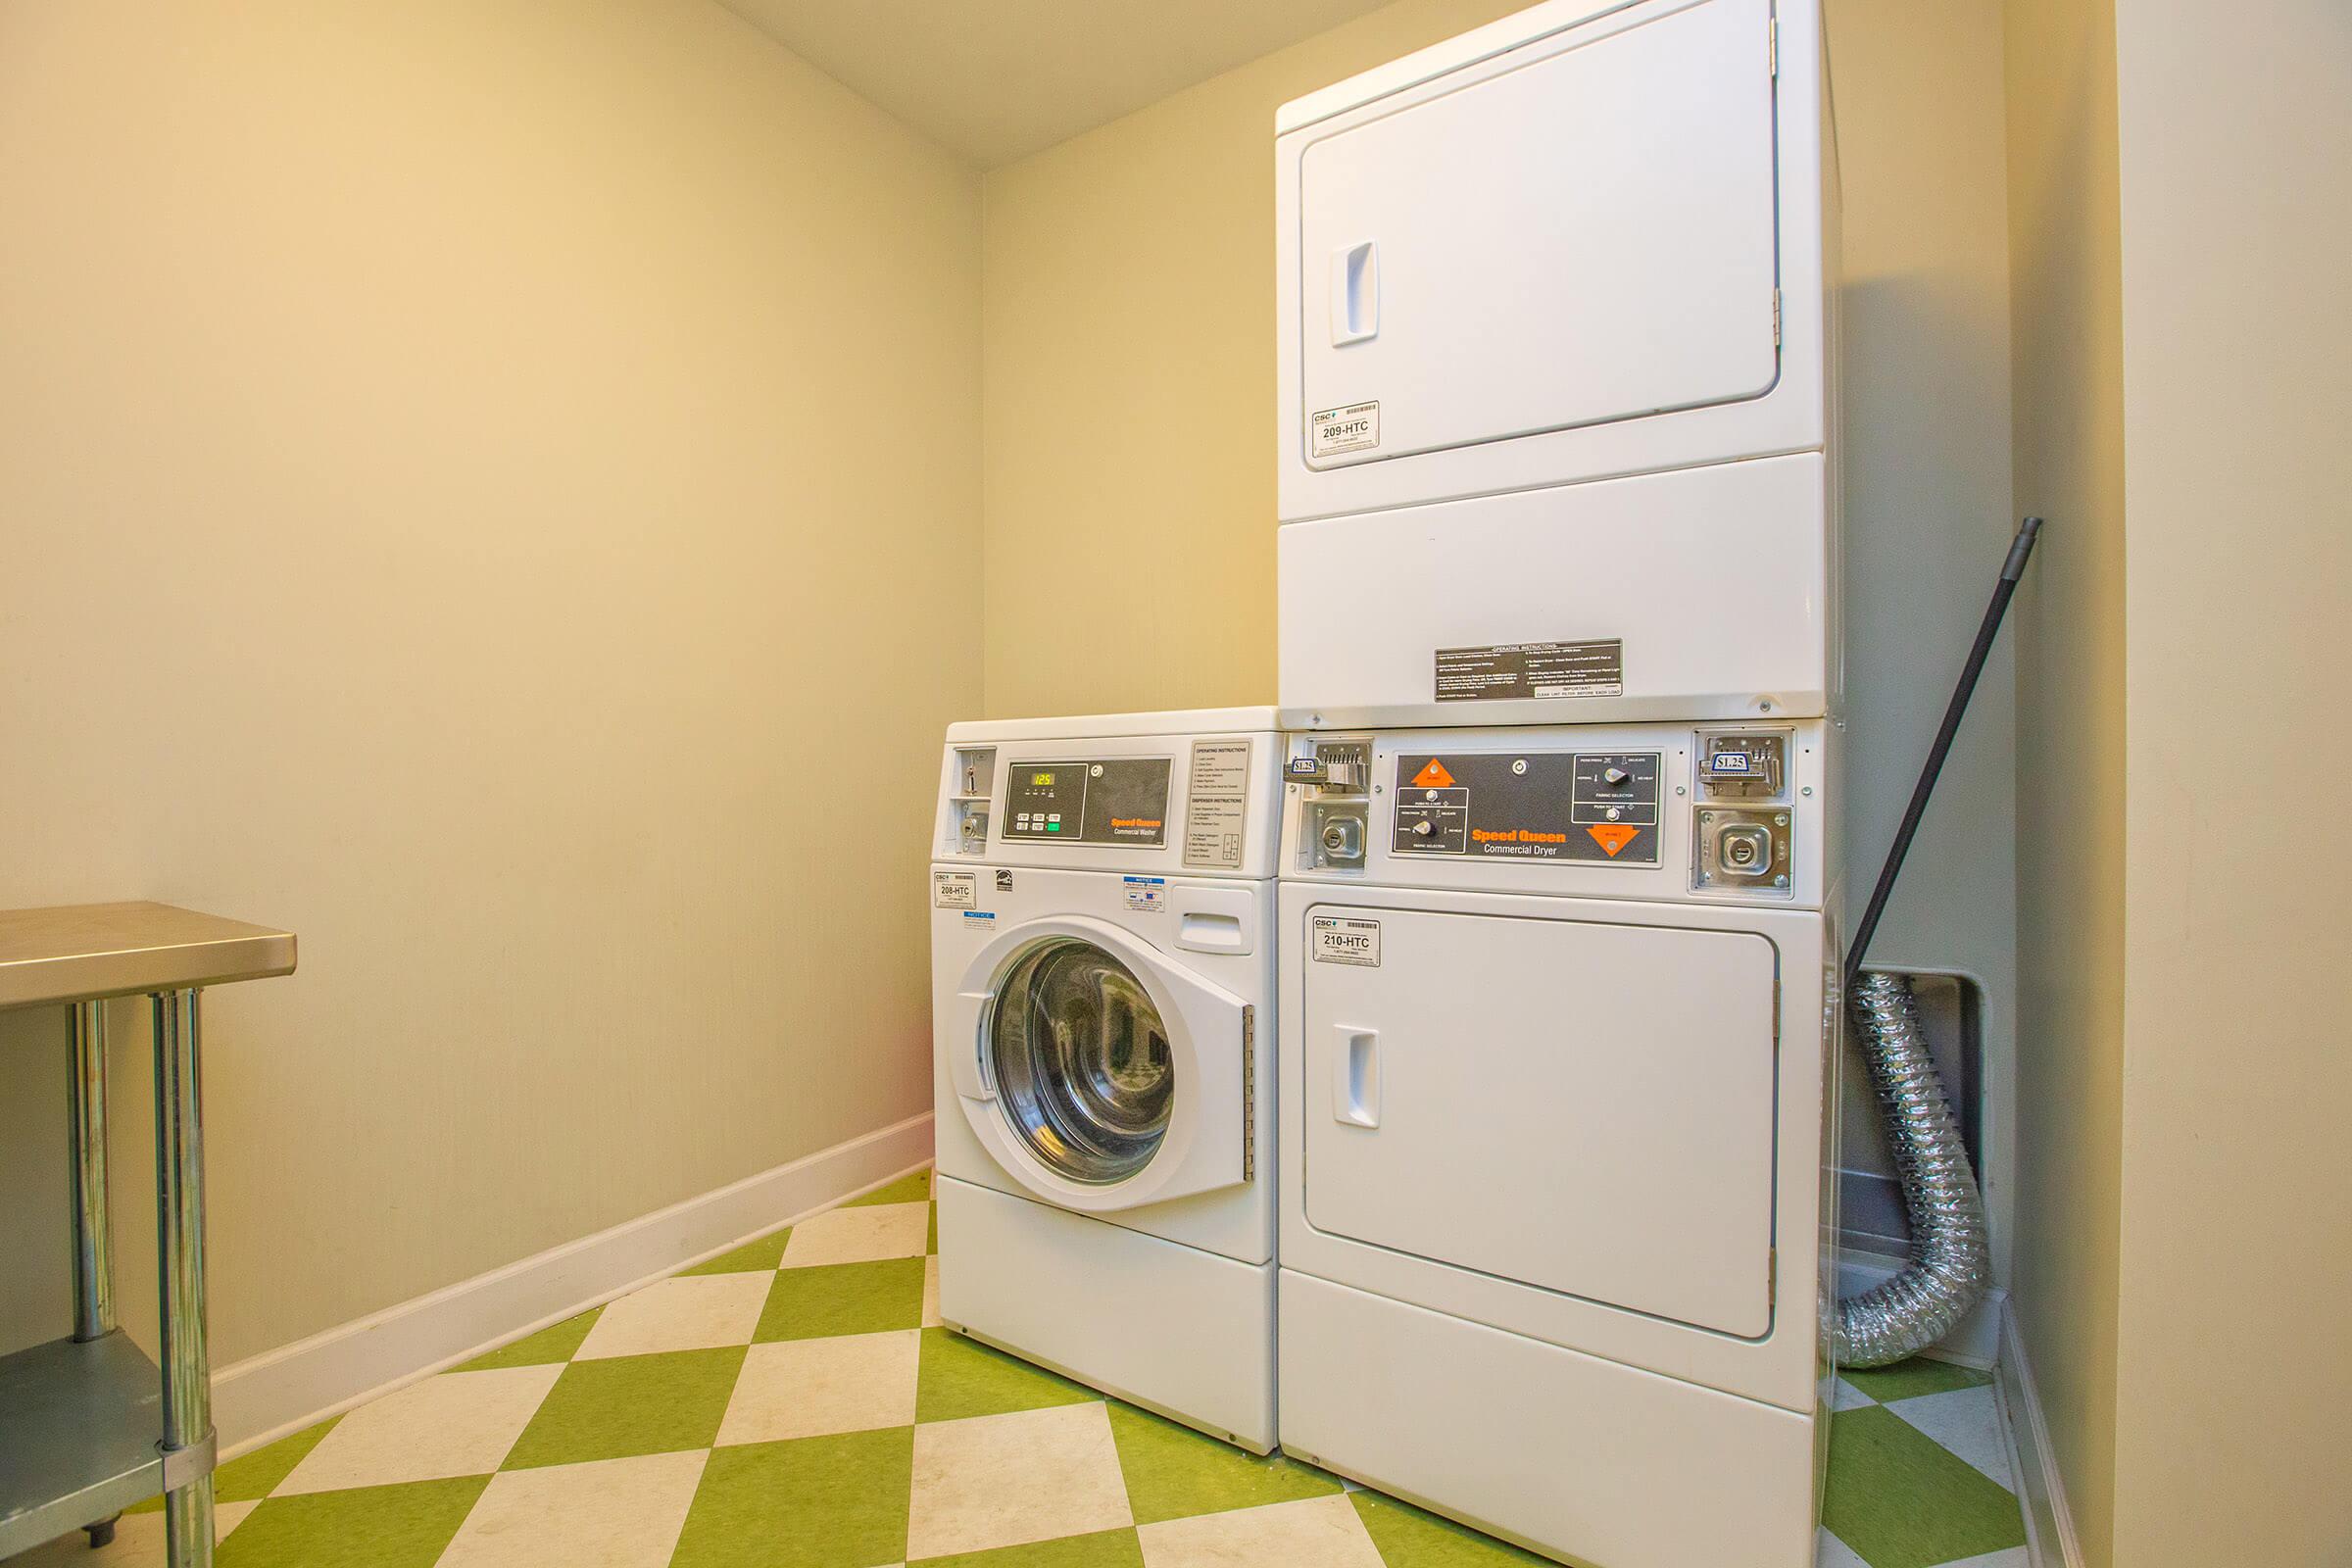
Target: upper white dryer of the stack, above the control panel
[1556,368]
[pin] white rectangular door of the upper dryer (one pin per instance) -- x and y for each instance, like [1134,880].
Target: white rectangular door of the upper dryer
[1575,239]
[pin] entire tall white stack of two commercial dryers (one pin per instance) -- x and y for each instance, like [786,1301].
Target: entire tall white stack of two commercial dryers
[1558,1014]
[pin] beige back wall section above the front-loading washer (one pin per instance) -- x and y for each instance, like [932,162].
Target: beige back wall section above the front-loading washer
[1130,389]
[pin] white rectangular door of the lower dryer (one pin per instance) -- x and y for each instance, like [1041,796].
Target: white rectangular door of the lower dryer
[1589,1108]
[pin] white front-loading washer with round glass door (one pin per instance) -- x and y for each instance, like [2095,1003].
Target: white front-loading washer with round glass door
[1102,970]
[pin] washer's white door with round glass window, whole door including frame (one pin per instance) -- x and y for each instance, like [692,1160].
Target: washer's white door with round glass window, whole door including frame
[1100,1073]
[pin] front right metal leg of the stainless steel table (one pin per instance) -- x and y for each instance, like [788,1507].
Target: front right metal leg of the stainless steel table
[180,1257]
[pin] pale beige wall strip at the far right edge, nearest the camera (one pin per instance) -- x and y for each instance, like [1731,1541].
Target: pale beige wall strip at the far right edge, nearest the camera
[2236,1398]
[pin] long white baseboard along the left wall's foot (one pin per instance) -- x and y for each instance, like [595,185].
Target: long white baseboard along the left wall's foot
[295,1386]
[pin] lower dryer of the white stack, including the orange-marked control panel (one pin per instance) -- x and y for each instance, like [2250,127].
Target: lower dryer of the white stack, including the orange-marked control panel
[1558,1092]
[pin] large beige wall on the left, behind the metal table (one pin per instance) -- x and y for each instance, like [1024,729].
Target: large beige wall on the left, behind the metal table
[490,488]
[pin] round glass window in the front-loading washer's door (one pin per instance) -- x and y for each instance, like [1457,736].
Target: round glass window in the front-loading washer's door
[1081,1061]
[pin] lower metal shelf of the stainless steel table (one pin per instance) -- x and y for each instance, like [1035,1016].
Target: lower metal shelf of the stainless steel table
[79,1438]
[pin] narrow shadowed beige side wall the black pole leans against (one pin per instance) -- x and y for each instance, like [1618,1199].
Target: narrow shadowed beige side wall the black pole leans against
[2066,307]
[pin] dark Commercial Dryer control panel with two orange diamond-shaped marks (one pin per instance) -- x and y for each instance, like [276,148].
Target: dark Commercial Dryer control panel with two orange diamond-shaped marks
[1596,808]
